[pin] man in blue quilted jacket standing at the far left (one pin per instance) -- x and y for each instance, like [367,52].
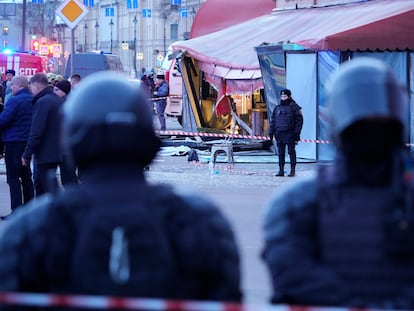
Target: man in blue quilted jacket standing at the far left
[15,122]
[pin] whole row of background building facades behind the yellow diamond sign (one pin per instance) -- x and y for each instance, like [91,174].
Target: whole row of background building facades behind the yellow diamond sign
[139,31]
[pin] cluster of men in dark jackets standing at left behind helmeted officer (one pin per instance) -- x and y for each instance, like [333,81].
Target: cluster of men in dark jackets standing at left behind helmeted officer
[30,127]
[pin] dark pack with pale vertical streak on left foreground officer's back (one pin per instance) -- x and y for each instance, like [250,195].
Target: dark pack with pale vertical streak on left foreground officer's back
[125,249]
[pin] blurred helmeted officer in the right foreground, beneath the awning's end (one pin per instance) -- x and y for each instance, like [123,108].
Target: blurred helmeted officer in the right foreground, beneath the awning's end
[345,237]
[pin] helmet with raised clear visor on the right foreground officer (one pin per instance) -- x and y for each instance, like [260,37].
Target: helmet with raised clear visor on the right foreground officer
[365,88]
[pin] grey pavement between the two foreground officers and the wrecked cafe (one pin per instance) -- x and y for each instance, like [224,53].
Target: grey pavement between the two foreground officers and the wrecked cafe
[241,191]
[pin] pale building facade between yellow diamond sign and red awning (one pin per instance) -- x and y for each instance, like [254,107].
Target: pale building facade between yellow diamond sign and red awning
[139,31]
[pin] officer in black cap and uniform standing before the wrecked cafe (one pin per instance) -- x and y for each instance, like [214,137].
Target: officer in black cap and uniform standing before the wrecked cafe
[285,126]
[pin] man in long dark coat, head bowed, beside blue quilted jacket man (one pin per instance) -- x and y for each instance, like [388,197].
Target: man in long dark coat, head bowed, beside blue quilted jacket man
[44,140]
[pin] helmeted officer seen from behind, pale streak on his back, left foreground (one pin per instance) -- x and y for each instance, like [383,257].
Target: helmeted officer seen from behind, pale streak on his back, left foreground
[116,234]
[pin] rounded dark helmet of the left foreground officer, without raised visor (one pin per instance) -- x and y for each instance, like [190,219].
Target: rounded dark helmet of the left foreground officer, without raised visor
[107,115]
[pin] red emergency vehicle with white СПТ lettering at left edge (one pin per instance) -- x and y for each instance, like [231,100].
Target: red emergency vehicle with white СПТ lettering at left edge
[23,63]
